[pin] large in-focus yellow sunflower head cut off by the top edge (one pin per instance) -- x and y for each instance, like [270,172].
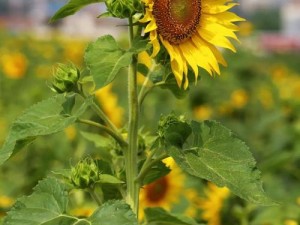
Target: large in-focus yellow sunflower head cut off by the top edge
[191,31]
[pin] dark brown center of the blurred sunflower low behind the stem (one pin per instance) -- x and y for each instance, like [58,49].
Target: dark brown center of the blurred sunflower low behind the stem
[157,190]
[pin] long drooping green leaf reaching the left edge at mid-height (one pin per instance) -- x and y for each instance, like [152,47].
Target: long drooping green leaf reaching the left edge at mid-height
[44,118]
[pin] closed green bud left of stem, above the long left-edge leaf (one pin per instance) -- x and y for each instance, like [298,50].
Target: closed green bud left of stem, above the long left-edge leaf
[65,78]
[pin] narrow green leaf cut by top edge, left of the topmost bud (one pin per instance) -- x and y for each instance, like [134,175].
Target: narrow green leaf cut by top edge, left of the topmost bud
[72,7]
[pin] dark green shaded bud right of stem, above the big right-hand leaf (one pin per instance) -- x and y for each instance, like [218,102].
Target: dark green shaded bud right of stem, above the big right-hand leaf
[174,130]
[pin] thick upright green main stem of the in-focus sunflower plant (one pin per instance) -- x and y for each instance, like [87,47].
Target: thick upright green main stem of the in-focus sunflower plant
[131,155]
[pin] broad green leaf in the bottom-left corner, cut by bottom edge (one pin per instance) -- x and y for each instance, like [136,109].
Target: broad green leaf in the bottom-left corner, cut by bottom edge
[46,206]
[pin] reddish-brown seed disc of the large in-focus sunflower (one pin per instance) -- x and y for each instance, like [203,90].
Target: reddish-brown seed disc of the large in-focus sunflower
[177,20]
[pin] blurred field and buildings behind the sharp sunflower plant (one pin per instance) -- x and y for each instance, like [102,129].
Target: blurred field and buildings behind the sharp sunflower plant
[257,96]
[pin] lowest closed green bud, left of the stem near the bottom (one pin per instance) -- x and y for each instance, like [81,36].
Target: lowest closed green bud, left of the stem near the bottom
[85,173]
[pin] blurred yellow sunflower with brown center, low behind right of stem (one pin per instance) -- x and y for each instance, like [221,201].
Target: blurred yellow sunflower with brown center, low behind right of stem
[164,192]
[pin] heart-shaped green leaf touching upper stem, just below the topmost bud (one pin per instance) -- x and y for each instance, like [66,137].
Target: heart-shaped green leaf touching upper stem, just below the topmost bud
[105,58]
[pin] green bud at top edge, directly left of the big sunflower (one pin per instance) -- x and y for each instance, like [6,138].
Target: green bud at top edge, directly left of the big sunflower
[123,9]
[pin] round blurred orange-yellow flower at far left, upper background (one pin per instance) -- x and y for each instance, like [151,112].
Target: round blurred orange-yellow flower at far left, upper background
[14,65]
